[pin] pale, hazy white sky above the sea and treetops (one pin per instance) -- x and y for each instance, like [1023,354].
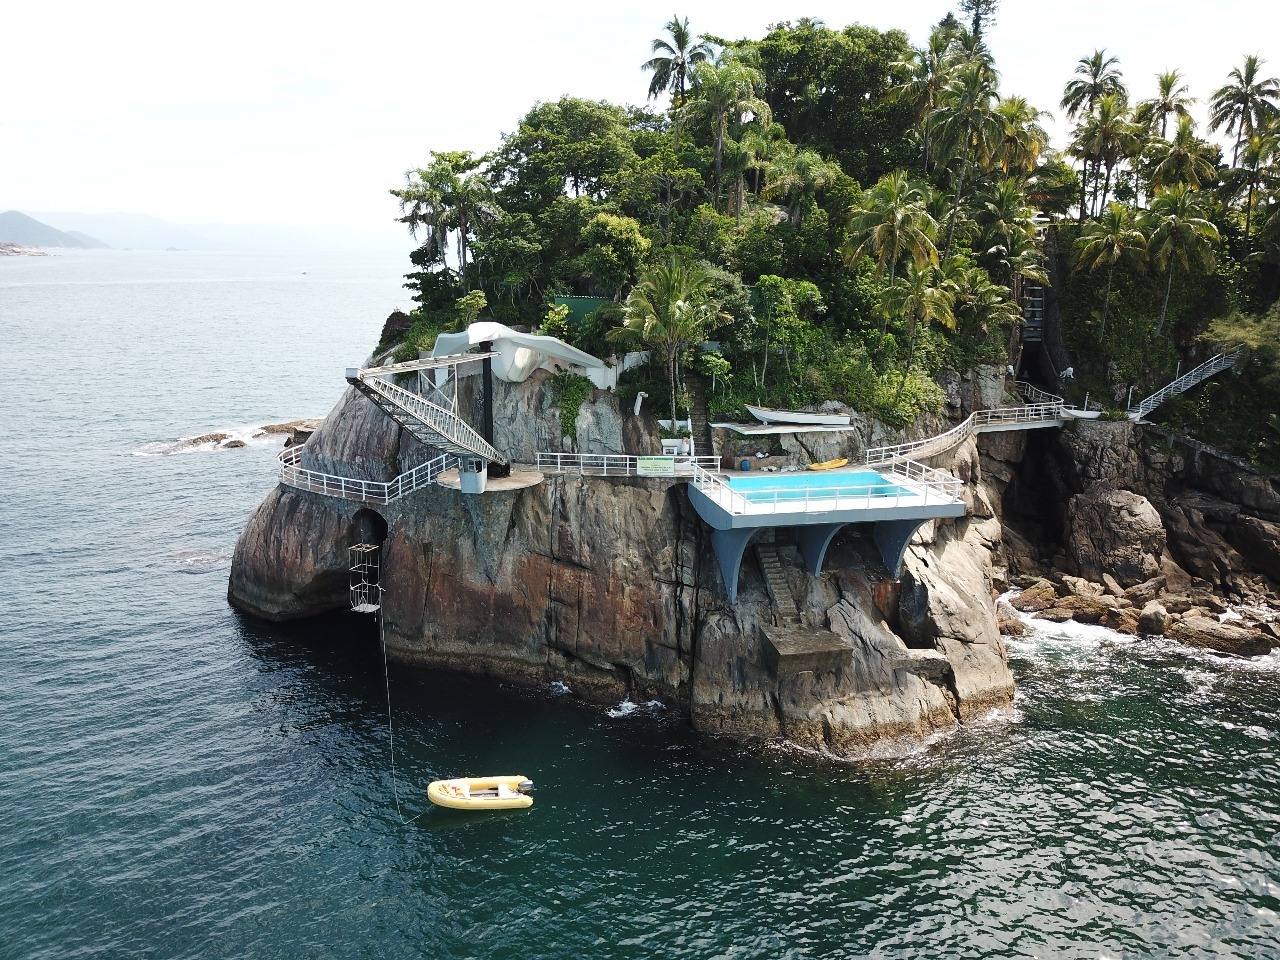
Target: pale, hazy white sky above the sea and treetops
[307,115]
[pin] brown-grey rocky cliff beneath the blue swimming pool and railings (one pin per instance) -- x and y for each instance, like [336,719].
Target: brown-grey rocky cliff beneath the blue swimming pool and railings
[610,584]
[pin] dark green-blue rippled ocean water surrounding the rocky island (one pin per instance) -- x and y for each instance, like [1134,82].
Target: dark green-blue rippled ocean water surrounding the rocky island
[181,781]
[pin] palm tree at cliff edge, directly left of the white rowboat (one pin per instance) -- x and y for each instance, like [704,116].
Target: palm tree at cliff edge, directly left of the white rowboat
[669,309]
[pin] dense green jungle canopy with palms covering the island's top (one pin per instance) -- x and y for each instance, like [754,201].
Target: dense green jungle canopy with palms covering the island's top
[843,214]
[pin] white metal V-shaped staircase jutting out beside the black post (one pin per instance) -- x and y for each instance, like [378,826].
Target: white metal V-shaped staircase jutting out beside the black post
[431,423]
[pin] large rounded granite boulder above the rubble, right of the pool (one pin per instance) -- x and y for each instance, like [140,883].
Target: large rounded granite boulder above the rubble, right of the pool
[1114,532]
